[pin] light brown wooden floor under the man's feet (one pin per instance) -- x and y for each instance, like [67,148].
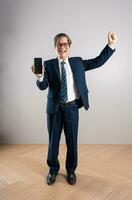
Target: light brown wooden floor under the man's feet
[104,173]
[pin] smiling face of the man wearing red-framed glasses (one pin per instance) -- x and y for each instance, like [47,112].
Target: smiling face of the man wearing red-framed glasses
[62,48]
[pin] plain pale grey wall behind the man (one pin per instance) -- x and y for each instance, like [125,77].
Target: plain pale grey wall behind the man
[27,29]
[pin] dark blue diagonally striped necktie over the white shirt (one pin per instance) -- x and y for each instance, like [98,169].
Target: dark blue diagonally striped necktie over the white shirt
[63,92]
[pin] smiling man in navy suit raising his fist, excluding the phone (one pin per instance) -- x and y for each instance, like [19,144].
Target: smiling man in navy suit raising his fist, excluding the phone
[64,77]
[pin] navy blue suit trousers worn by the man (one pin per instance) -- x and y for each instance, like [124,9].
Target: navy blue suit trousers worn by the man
[66,119]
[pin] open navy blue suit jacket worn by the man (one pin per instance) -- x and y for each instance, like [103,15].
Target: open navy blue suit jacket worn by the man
[79,66]
